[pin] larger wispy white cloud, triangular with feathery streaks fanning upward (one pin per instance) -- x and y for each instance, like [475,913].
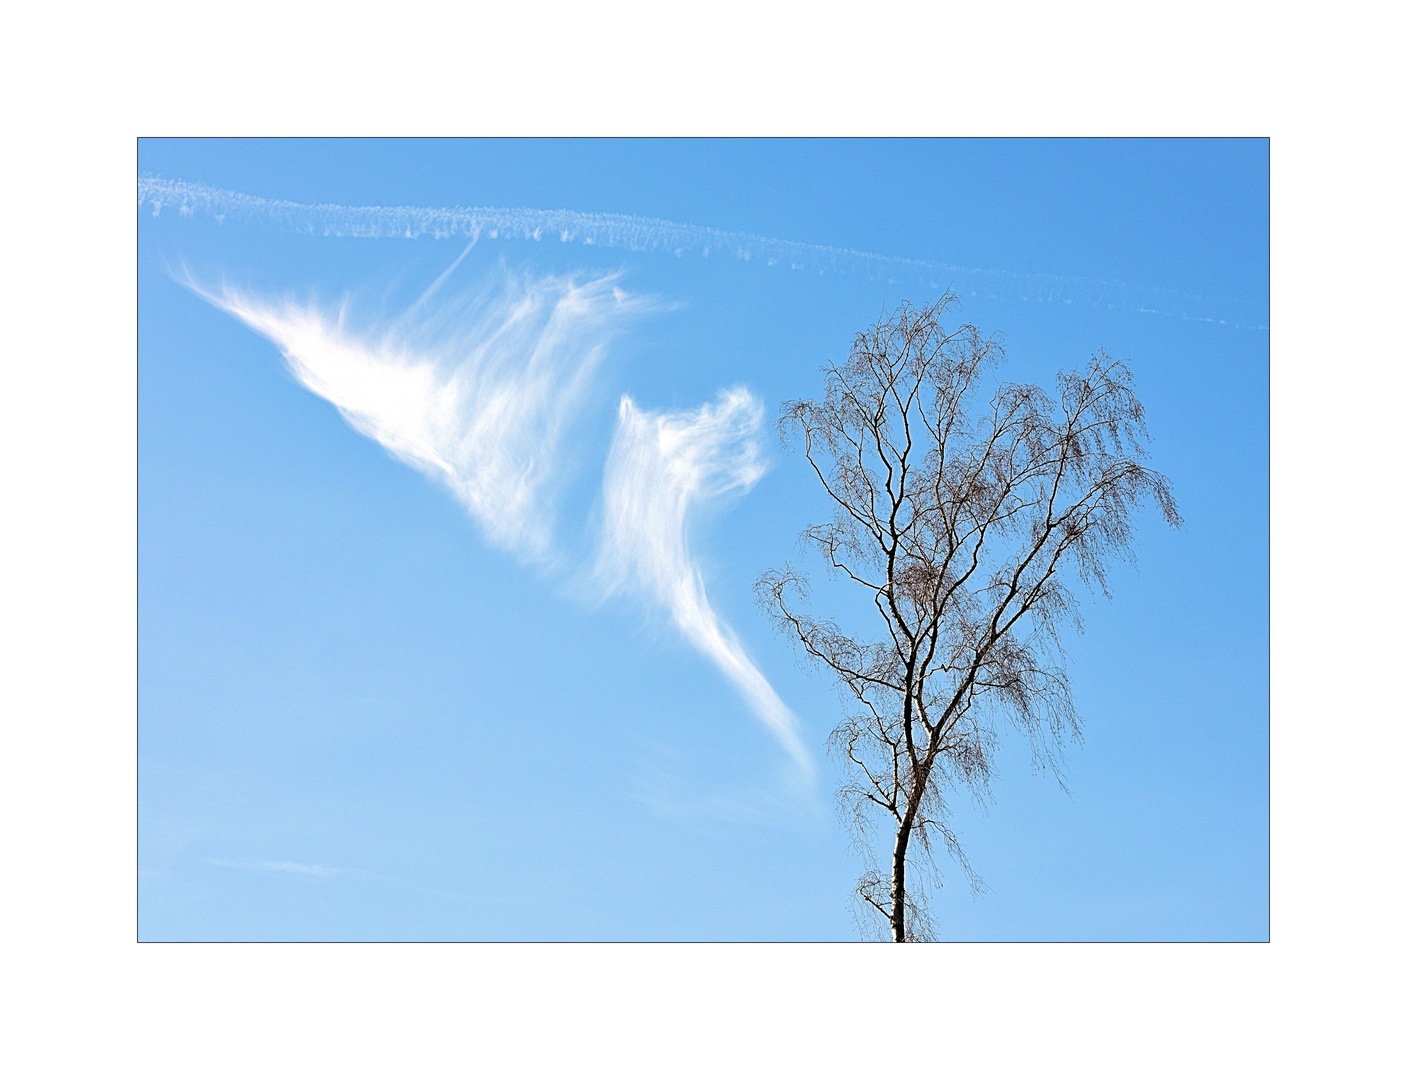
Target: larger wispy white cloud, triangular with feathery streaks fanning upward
[476,392]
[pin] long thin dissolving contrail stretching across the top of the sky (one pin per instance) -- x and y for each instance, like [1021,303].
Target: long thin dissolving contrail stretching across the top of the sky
[638,234]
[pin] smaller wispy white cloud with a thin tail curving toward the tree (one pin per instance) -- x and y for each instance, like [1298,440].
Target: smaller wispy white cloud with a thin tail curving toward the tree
[662,465]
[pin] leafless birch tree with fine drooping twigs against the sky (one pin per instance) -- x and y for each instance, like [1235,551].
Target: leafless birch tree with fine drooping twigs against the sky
[962,520]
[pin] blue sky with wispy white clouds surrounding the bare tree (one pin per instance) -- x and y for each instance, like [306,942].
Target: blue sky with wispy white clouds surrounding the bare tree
[388,693]
